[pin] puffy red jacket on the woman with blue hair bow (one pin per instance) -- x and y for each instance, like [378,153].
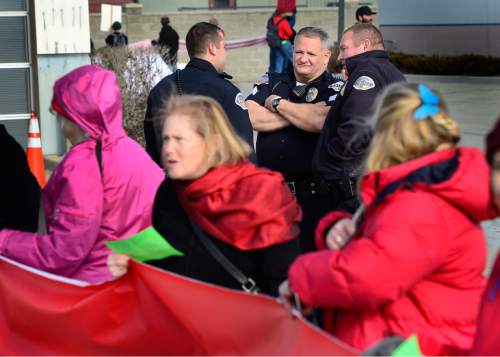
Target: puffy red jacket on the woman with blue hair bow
[416,264]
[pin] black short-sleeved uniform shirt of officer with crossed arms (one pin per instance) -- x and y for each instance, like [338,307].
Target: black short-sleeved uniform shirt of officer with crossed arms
[290,150]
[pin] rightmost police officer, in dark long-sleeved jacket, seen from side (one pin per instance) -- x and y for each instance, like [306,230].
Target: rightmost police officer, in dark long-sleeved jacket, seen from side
[346,135]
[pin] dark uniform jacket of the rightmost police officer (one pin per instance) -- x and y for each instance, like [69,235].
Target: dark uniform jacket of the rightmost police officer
[345,136]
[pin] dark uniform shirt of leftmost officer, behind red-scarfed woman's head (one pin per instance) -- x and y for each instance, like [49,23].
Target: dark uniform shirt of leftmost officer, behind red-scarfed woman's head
[199,77]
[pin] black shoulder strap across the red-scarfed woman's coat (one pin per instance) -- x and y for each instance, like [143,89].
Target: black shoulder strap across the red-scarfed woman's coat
[247,284]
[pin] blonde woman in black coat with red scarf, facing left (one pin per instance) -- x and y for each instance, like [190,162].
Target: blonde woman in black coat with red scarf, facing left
[212,190]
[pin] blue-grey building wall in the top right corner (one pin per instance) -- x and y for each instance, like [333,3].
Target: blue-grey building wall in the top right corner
[442,27]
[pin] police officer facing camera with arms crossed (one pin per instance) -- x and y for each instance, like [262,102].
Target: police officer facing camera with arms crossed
[288,111]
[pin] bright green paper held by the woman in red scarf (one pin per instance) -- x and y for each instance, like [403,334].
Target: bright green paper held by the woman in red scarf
[145,245]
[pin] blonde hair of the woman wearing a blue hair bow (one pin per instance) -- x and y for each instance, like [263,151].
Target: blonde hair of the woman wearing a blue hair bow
[399,137]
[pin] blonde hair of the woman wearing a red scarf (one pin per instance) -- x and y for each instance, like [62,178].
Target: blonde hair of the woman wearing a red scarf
[210,121]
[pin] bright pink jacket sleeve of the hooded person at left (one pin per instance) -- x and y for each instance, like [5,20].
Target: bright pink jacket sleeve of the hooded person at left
[72,229]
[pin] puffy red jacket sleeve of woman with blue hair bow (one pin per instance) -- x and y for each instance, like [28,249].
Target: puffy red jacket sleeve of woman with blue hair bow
[379,268]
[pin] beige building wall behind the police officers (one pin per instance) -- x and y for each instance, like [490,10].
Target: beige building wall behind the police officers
[245,64]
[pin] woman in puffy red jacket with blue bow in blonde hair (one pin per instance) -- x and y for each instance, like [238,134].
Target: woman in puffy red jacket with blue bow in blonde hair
[419,236]
